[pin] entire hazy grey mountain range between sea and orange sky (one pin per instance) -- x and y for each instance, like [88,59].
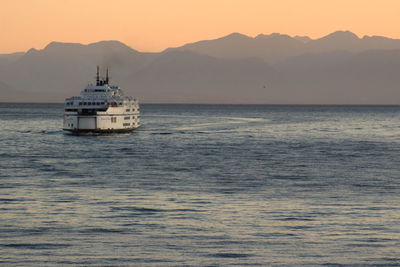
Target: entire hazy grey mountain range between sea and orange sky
[340,68]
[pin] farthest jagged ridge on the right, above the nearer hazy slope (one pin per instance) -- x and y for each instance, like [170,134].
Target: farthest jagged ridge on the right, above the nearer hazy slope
[277,47]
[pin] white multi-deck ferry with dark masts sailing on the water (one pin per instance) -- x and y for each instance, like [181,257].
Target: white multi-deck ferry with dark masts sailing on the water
[101,108]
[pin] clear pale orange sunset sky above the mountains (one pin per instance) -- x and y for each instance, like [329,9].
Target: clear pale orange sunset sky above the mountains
[154,25]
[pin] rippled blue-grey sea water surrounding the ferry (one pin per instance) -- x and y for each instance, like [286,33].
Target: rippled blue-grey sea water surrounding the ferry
[203,185]
